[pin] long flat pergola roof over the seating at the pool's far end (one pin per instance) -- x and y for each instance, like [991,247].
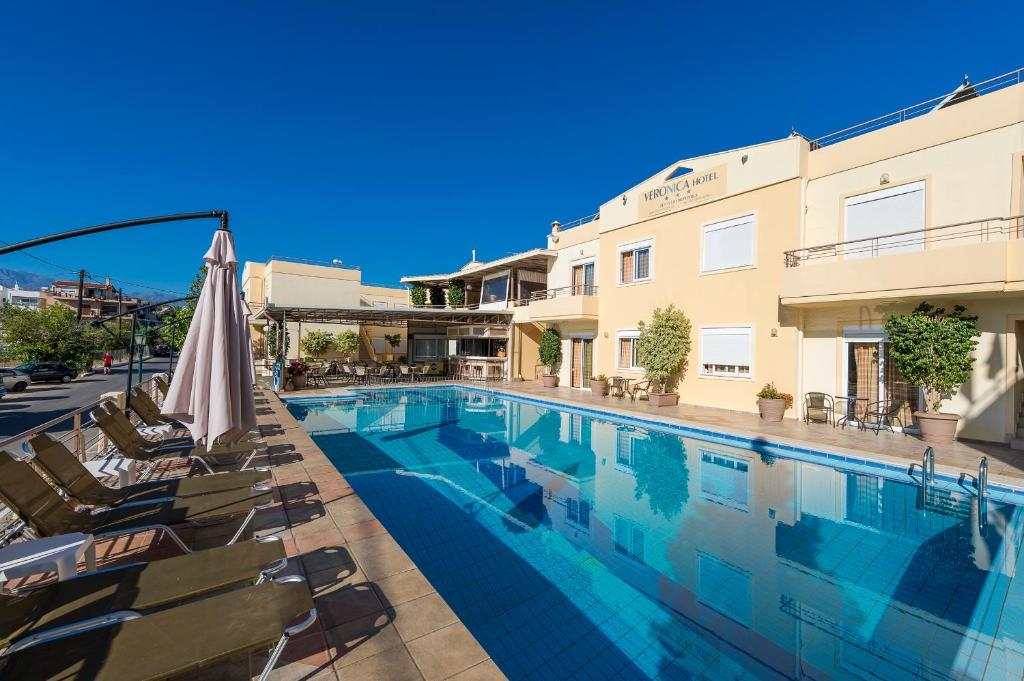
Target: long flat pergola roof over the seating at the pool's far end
[383,317]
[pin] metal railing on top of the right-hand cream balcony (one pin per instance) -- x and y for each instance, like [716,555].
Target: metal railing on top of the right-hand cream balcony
[975,232]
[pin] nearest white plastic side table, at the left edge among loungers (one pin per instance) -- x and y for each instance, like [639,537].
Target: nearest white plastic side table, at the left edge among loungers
[51,555]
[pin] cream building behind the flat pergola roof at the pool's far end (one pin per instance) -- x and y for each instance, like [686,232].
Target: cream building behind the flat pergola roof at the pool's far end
[306,284]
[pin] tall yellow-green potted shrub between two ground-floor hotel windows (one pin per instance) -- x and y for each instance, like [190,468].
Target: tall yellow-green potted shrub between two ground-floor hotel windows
[663,348]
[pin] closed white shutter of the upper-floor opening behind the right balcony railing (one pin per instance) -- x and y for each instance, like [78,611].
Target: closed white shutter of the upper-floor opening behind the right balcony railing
[889,211]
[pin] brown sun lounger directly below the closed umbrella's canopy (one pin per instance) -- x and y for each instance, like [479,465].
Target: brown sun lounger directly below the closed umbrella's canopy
[134,446]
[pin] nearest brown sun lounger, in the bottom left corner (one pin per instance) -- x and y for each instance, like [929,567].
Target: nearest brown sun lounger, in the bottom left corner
[175,643]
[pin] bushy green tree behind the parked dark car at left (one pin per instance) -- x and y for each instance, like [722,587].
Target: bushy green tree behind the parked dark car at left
[50,334]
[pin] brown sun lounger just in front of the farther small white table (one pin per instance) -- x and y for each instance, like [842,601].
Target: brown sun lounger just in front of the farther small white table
[64,469]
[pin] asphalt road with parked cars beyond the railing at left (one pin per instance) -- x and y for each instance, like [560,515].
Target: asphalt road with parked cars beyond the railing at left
[45,402]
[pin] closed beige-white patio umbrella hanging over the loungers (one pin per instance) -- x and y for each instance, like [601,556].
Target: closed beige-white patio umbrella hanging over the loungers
[212,390]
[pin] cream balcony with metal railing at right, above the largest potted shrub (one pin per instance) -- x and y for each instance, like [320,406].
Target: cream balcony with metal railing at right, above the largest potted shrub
[978,258]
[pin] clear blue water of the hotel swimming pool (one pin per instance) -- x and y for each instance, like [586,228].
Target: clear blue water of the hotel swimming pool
[579,546]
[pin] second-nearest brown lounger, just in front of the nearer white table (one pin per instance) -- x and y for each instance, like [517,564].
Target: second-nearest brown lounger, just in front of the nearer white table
[49,610]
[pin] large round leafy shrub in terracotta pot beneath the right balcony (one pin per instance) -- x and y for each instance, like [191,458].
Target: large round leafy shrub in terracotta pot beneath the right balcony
[935,351]
